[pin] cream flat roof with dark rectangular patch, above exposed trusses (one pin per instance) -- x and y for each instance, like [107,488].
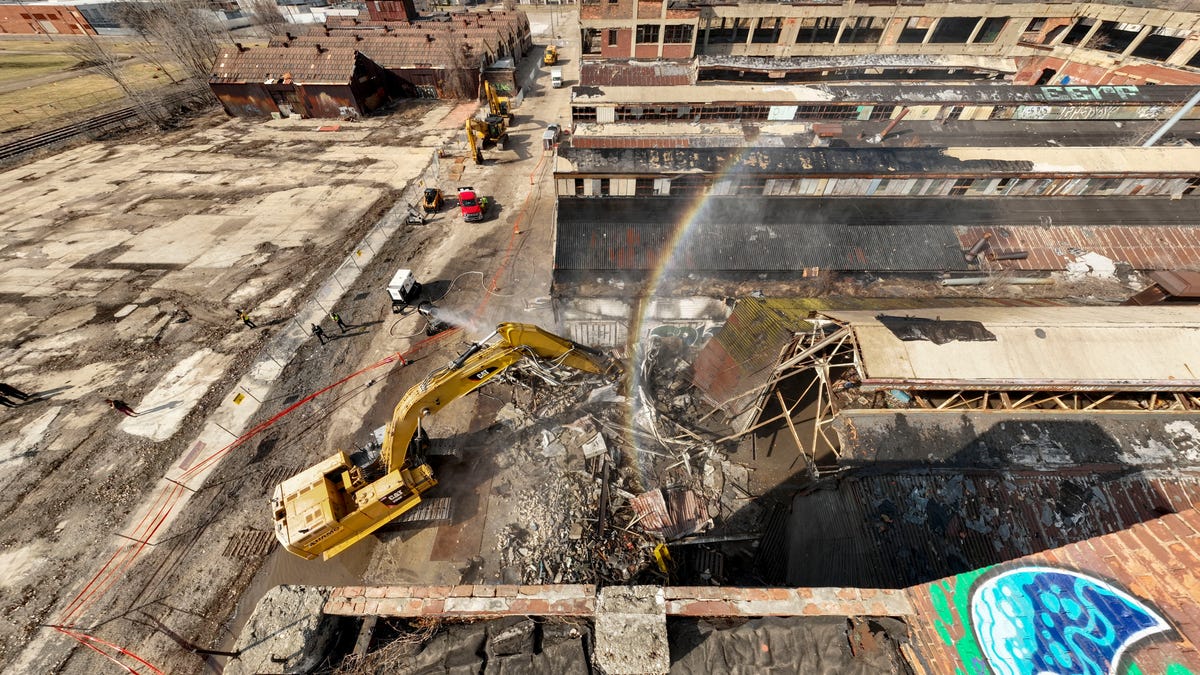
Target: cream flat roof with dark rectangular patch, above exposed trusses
[1117,348]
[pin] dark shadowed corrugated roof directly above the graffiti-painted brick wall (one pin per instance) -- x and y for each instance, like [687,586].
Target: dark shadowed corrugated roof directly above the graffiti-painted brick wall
[898,530]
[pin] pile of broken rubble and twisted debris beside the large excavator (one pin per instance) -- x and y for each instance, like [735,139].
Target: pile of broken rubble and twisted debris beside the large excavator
[598,480]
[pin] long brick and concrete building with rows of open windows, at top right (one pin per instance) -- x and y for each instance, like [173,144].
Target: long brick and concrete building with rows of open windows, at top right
[1028,43]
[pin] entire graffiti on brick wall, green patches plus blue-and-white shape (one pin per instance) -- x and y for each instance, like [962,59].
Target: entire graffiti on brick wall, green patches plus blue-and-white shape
[1042,620]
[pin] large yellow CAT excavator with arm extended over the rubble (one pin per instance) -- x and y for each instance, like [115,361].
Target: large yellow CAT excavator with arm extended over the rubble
[329,507]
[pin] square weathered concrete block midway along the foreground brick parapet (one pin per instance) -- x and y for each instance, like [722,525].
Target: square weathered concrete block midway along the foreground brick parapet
[632,631]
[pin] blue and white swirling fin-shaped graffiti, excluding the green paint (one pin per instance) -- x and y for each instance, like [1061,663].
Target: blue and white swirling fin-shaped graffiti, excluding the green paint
[1047,622]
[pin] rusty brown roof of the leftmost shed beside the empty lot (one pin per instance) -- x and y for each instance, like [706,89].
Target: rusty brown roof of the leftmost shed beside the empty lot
[307,67]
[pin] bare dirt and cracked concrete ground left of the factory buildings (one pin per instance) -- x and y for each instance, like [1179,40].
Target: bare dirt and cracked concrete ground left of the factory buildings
[124,266]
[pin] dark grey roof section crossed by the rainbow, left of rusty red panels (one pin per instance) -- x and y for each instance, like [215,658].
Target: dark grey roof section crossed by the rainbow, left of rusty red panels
[724,235]
